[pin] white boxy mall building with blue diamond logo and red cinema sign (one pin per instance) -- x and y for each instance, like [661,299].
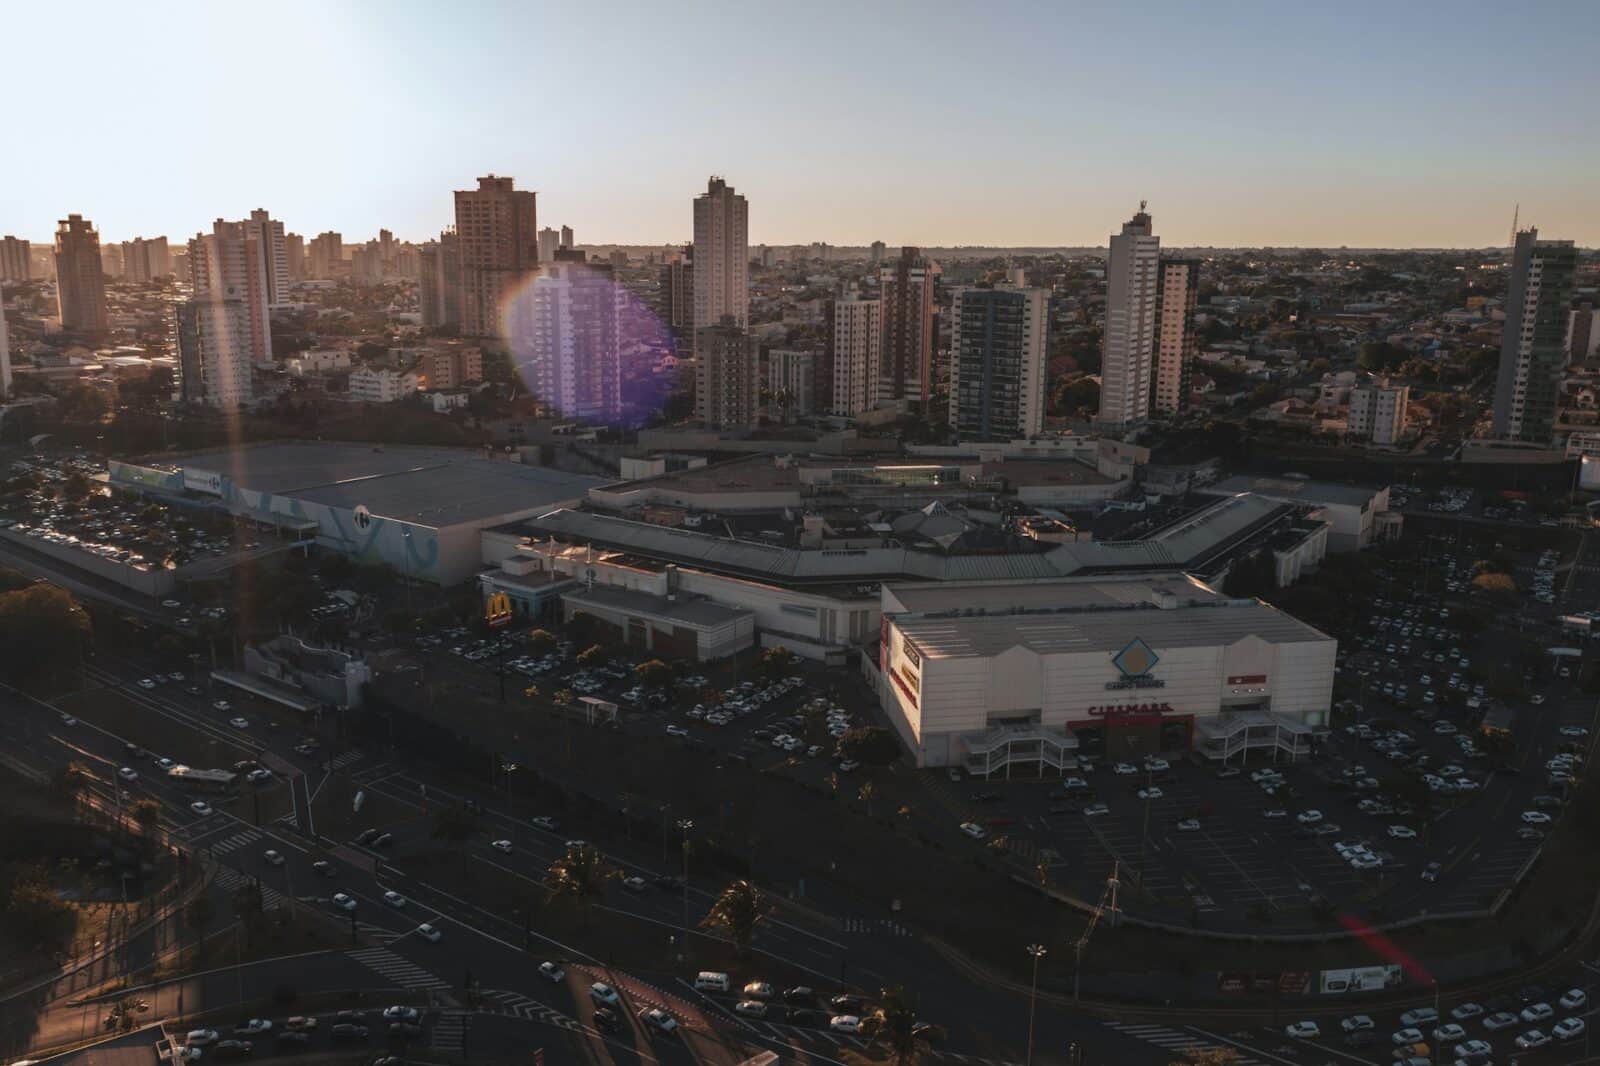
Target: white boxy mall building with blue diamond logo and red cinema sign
[991,676]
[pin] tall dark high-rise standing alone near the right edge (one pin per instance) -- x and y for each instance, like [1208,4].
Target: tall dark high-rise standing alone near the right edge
[1534,347]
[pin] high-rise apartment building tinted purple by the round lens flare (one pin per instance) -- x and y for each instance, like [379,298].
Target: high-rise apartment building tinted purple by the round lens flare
[567,342]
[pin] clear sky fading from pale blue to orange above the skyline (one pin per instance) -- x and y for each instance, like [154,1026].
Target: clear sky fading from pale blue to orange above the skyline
[1398,124]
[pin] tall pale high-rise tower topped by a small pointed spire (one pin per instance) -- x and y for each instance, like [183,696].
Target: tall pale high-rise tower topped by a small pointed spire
[1132,283]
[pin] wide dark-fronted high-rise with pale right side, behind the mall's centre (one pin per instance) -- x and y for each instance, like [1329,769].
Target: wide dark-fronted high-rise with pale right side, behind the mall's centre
[998,363]
